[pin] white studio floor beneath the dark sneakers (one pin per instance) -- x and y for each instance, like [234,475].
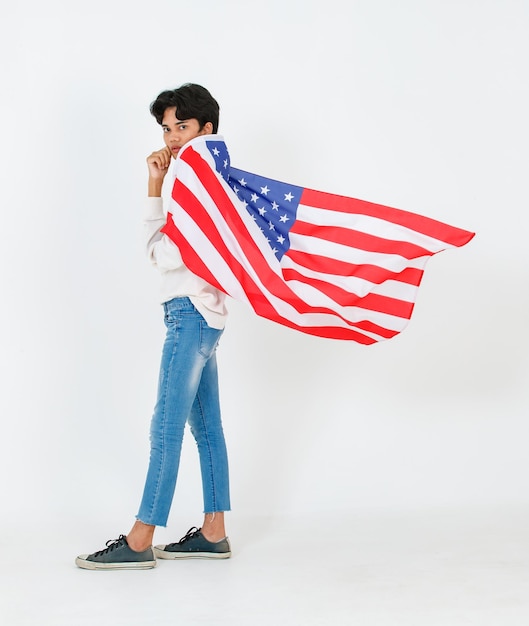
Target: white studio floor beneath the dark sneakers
[430,568]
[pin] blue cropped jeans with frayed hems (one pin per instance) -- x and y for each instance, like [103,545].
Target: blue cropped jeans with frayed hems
[187,392]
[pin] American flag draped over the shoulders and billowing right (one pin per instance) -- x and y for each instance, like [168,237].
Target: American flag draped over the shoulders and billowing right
[320,263]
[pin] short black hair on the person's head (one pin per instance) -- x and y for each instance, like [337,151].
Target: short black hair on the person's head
[191,101]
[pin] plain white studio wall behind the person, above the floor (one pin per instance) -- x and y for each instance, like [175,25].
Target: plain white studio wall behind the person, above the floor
[420,105]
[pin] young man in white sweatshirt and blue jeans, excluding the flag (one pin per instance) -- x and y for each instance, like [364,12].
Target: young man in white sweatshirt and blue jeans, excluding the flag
[195,315]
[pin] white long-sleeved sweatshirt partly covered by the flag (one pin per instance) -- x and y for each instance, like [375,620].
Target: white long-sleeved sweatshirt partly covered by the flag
[176,279]
